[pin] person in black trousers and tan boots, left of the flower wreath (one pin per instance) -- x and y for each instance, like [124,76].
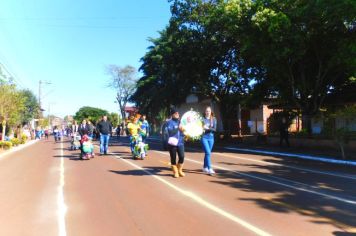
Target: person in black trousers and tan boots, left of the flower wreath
[174,132]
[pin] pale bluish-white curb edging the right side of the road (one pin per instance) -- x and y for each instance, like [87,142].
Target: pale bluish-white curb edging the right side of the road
[301,156]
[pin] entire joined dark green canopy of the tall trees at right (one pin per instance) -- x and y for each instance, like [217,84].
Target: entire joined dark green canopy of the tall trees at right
[297,52]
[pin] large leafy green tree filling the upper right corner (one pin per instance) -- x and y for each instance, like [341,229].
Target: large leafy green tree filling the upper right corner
[307,49]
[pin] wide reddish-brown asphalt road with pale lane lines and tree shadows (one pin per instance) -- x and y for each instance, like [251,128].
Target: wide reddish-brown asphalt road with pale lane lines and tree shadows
[45,189]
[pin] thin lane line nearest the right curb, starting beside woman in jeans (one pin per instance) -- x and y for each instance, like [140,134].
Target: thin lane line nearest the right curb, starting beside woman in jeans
[288,166]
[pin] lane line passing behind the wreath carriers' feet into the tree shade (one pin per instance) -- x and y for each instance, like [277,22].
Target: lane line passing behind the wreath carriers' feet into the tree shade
[276,182]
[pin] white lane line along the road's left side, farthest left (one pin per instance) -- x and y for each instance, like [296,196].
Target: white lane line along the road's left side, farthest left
[62,208]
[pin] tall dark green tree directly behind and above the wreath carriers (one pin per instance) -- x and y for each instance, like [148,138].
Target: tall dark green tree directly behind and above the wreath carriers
[193,54]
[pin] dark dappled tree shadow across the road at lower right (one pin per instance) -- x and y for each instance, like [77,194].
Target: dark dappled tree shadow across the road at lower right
[279,198]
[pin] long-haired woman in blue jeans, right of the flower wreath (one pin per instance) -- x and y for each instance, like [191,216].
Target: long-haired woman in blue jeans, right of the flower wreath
[209,126]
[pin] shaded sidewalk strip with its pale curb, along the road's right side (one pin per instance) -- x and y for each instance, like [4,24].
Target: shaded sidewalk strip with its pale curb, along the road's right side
[326,156]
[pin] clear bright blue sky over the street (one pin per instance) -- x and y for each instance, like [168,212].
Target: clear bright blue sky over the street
[70,43]
